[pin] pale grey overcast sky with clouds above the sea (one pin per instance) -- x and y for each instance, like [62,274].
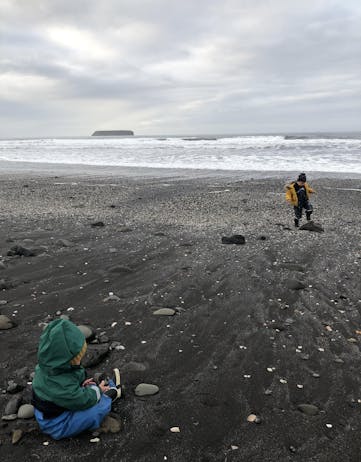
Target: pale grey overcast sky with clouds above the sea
[68,68]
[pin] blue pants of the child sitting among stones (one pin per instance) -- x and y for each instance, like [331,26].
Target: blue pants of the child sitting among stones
[71,423]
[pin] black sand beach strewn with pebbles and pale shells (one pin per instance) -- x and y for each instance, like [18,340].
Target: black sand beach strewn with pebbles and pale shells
[259,328]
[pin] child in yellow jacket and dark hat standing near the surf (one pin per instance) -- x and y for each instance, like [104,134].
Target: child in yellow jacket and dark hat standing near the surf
[298,194]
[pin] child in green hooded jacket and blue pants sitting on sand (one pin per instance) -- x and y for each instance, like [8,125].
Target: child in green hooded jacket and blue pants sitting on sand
[66,403]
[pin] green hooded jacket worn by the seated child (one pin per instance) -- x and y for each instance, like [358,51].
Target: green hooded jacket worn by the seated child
[56,380]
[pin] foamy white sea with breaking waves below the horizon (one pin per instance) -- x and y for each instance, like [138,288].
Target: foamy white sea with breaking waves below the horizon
[331,152]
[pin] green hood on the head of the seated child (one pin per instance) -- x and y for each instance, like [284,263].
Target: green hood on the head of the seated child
[60,342]
